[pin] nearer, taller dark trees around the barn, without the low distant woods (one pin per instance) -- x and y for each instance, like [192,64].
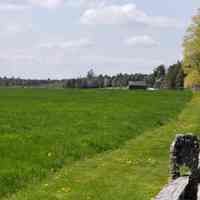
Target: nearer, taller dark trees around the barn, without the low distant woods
[161,77]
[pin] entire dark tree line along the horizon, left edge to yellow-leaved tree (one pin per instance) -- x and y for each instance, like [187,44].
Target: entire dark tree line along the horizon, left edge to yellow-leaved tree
[161,77]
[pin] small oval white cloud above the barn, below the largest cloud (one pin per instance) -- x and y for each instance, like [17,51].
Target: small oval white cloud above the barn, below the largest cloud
[141,41]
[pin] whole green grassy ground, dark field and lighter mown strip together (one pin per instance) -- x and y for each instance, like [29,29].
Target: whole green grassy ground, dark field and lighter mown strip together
[100,139]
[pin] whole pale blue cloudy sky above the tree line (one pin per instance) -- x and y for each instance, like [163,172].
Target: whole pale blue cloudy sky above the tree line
[65,38]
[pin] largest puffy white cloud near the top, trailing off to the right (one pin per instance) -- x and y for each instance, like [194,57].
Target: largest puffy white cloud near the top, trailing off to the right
[125,14]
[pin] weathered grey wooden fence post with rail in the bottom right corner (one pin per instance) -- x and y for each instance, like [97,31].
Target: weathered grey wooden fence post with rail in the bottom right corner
[184,151]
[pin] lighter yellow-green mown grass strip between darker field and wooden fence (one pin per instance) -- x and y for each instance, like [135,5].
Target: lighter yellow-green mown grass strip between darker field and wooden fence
[136,171]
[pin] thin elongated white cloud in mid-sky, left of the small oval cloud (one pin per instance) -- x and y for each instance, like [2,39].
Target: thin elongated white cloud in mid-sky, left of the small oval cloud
[80,43]
